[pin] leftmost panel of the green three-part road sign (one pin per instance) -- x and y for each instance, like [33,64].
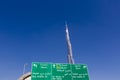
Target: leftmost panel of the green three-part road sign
[41,71]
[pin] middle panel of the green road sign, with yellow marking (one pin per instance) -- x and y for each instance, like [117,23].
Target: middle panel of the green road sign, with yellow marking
[61,72]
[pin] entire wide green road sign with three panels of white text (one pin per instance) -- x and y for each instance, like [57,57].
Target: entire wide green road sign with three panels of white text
[49,71]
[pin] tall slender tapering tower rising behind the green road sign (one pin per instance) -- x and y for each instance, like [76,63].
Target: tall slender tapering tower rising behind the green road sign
[70,56]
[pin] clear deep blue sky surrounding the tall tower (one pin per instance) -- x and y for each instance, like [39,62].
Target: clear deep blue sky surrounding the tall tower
[34,31]
